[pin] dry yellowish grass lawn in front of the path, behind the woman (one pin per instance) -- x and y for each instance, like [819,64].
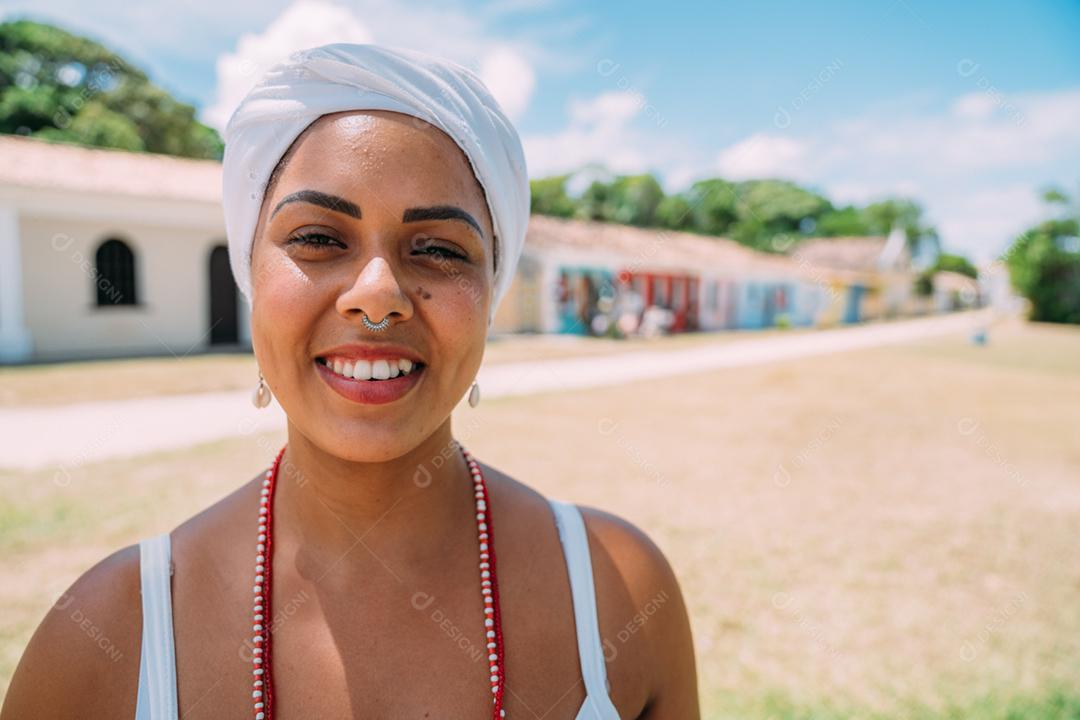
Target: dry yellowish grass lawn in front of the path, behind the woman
[889,533]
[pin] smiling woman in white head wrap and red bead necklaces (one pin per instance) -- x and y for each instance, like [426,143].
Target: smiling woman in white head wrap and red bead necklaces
[376,203]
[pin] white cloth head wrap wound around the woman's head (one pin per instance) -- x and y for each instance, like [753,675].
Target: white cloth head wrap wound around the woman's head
[343,77]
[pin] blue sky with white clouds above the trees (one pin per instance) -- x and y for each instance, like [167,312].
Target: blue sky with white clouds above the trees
[969,108]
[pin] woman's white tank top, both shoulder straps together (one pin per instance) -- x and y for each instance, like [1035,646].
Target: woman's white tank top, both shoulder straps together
[157,674]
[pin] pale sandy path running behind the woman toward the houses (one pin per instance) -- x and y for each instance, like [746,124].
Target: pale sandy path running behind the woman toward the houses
[70,436]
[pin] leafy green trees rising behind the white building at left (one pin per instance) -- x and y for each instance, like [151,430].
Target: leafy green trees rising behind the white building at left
[61,87]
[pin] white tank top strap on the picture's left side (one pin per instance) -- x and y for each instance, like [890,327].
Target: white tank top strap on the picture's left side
[157,674]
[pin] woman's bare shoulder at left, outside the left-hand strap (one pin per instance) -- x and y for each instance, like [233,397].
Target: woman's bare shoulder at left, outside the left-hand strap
[83,661]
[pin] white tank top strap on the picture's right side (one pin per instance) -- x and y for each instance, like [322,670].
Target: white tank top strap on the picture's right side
[572,533]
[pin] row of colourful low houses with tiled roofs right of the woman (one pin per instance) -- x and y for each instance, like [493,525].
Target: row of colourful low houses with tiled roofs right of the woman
[584,278]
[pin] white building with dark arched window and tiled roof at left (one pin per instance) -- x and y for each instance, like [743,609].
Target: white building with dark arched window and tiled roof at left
[106,253]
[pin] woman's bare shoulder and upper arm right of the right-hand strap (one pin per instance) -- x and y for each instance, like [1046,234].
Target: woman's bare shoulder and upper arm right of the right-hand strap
[643,614]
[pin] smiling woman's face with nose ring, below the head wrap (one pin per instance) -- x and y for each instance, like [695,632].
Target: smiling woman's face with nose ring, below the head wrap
[375,213]
